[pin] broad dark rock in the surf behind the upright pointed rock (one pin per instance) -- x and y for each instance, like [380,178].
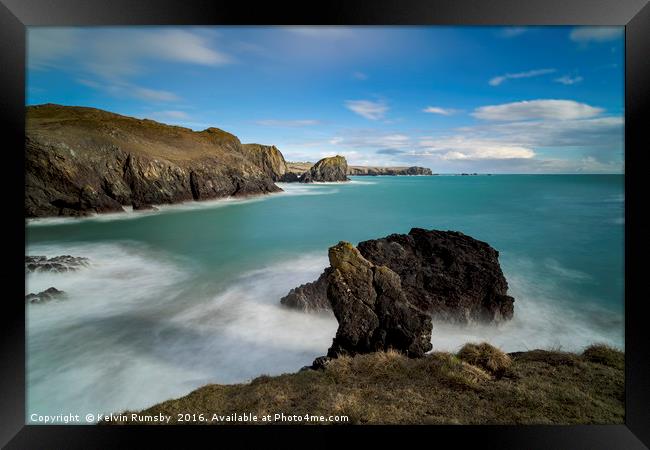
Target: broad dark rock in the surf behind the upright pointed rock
[451,276]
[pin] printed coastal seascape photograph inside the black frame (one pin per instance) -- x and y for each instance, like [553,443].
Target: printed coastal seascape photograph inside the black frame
[324,225]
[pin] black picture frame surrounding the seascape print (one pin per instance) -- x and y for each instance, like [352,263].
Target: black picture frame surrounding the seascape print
[16,15]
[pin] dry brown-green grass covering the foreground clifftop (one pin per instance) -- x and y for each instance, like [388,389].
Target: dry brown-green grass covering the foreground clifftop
[539,387]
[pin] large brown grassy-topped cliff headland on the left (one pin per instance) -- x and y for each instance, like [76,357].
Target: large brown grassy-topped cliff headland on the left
[84,160]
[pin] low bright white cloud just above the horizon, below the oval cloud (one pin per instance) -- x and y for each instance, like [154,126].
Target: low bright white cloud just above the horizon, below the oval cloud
[463,148]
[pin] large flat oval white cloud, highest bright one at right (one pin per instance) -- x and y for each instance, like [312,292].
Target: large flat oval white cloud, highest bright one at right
[537,109]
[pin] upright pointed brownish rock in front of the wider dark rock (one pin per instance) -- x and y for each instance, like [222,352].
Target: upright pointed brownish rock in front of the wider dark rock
[372,310]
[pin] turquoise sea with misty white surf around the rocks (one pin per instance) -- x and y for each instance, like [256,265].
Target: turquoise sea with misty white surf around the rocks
[189,295]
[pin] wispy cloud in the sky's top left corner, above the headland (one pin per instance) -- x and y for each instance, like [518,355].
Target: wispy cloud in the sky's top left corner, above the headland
[108,59]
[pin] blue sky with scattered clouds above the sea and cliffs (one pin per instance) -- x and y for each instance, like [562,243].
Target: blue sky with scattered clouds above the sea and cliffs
[455,99]
